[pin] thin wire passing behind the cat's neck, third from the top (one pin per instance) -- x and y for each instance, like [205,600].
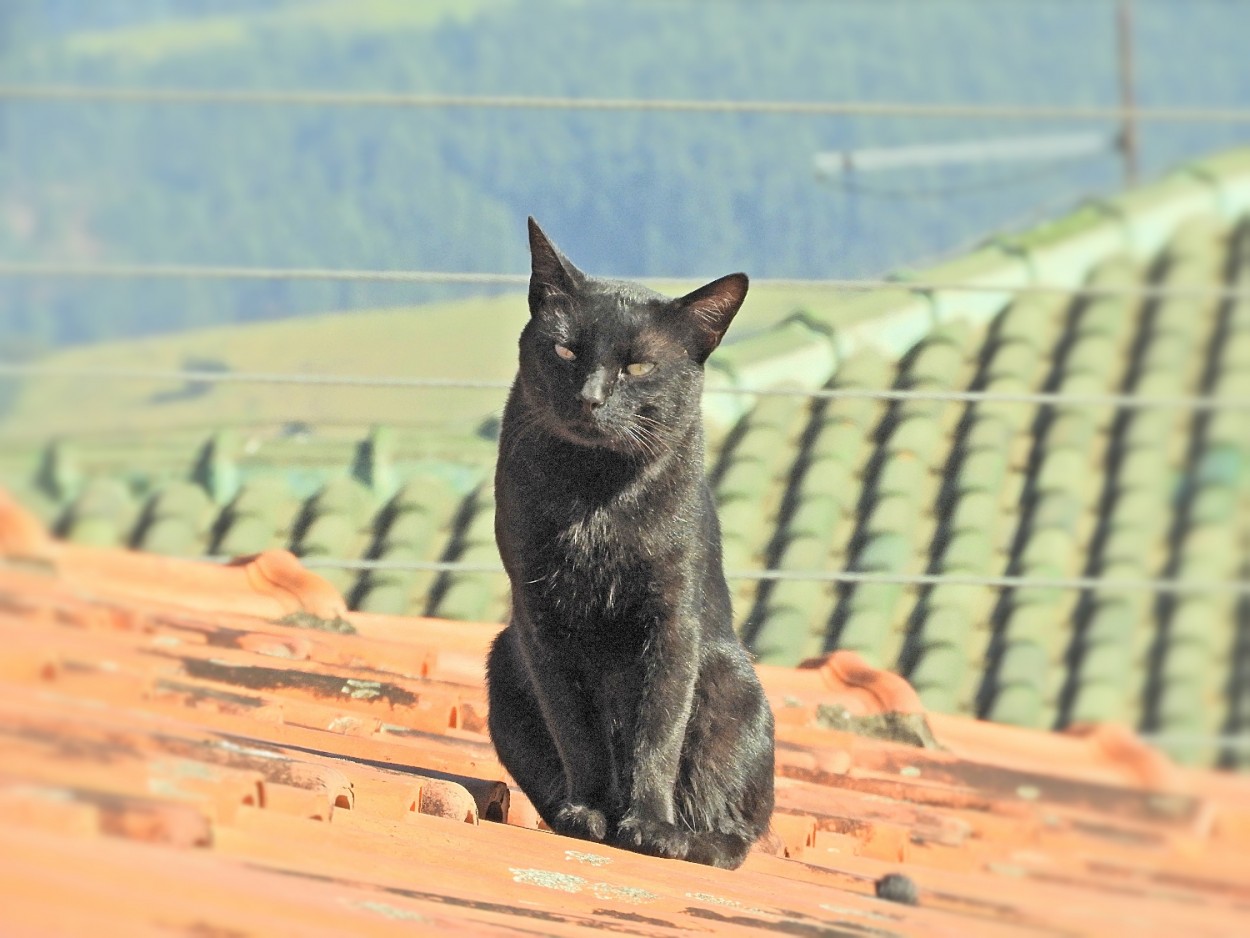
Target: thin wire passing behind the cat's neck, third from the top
[1132,402]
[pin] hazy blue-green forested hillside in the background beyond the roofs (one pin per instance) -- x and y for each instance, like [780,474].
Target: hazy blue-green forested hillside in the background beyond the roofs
[626,192]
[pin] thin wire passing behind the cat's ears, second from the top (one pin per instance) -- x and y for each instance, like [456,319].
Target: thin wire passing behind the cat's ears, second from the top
[166,272]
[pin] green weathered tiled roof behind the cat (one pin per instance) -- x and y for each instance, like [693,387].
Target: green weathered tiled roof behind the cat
[857,485]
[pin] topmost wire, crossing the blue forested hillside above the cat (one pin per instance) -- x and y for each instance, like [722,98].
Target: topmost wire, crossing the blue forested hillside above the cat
[1183,114]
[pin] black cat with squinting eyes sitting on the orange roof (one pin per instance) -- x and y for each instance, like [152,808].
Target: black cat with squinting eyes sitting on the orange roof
[621,698]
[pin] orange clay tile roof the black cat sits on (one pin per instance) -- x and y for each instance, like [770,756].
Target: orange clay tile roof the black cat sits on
[199,750]
